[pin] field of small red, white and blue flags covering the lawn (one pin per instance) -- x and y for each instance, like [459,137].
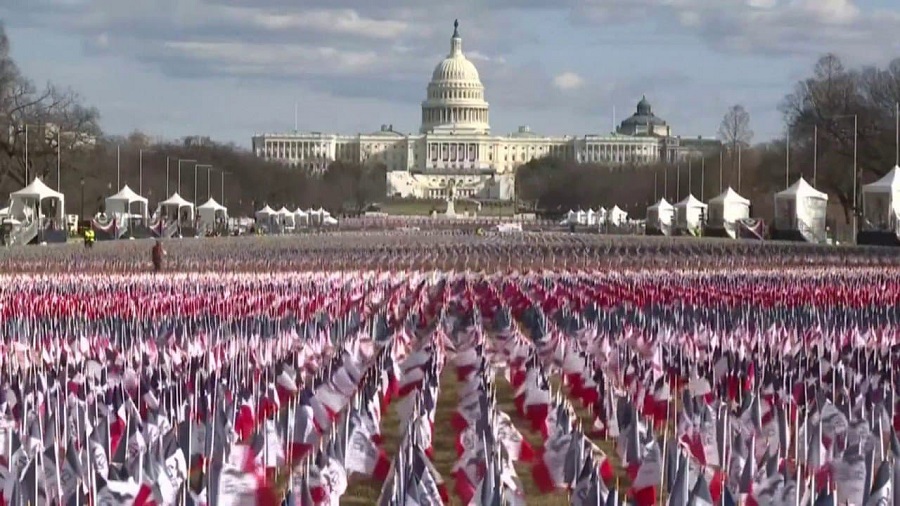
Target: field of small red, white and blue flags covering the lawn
[418,370]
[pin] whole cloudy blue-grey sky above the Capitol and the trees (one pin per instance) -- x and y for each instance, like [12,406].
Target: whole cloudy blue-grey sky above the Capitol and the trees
[229,69]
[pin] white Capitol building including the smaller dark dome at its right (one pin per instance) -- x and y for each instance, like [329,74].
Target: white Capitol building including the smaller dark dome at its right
[455,148]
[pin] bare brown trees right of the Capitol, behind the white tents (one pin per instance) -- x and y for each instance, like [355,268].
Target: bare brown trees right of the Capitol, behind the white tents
[826,115]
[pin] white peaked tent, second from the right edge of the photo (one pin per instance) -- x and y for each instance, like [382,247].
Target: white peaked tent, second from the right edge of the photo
[801,208]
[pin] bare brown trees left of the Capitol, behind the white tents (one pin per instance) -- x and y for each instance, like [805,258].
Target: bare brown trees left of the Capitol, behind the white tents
[48,132]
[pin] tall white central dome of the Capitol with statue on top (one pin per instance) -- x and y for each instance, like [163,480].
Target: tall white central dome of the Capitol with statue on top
[455,94]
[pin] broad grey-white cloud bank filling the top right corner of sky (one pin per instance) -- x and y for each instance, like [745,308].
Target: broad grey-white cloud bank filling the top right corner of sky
[768,27]
